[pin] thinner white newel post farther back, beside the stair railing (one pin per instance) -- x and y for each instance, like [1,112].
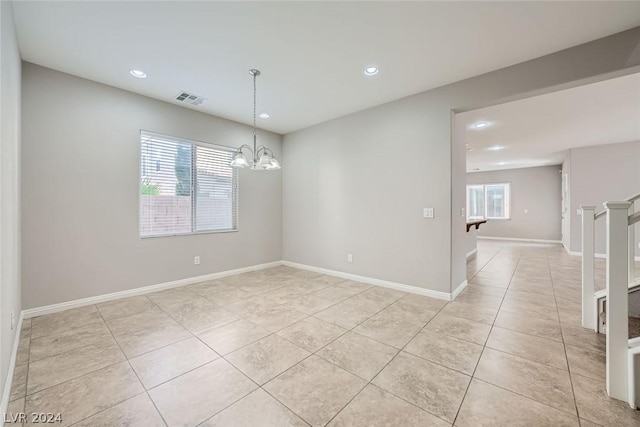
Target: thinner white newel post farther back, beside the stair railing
[589,312]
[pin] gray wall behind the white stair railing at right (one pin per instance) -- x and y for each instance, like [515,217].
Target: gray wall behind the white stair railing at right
[601,173]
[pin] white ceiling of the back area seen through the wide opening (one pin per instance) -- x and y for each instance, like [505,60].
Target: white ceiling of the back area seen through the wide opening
[537,131]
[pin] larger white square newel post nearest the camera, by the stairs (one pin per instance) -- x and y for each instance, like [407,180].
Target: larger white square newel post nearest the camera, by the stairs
[617,298]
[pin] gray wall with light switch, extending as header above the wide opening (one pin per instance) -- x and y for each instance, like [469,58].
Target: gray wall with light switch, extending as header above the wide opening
[357,184]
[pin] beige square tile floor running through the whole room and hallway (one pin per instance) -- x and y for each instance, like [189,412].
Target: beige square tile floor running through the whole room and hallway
[283,347]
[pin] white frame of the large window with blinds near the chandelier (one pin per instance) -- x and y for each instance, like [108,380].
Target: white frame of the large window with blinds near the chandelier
[194,143]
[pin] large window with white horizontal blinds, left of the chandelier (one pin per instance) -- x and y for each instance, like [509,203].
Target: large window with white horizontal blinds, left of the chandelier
[186,187]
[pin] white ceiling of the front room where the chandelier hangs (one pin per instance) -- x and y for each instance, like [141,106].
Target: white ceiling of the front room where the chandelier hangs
[312,54]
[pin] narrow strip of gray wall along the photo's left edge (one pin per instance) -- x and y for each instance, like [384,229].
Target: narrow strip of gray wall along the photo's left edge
[9,186]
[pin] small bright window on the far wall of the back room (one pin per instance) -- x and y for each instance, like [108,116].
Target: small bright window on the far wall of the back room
[489,201]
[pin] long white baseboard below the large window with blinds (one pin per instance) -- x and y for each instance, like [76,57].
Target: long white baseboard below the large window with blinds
[54,308]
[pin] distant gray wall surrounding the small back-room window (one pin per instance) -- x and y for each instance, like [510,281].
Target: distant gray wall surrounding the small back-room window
[534,190]
